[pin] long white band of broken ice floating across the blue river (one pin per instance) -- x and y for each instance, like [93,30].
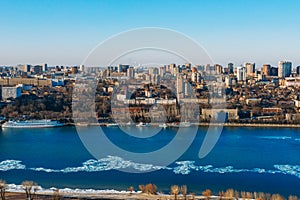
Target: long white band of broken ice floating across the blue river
[179,167]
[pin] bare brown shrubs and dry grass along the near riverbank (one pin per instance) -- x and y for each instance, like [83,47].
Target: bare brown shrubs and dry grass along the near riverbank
[150,191]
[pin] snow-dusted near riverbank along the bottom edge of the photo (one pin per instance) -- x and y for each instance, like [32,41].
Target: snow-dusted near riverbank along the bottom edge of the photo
[88,194]
